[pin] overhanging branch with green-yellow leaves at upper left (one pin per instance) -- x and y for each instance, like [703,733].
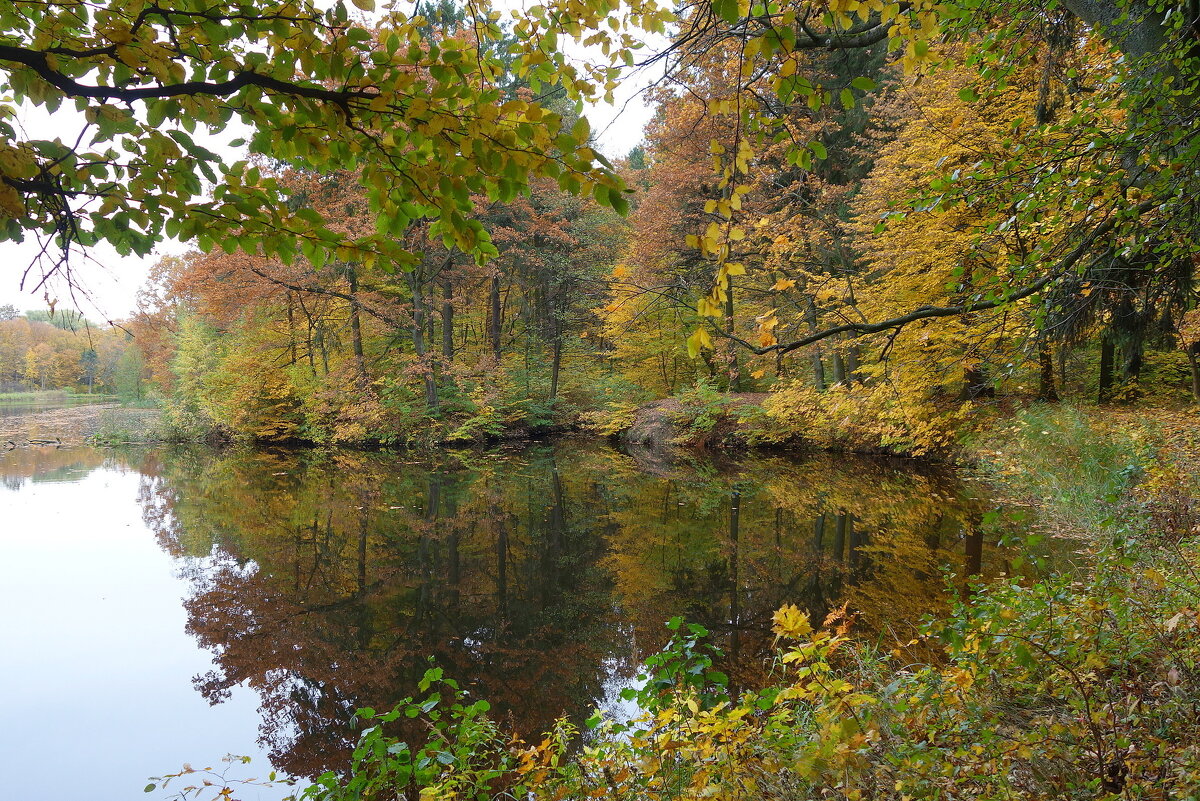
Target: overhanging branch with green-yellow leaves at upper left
[424,124]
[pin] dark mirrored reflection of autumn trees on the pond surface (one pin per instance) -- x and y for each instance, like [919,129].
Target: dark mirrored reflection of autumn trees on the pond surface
[538,579]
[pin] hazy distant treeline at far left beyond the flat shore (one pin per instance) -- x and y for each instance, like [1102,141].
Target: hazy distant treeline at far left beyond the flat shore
[59,350]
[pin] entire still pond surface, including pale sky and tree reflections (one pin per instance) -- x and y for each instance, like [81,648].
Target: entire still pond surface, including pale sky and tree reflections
[170,606]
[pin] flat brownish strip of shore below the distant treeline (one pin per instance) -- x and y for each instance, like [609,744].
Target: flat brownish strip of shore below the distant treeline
[79,425]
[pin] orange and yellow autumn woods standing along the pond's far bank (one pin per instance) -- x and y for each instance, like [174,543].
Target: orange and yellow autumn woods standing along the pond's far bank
[583,314]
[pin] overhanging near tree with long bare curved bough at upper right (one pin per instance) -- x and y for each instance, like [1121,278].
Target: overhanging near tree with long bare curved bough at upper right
[1135,206]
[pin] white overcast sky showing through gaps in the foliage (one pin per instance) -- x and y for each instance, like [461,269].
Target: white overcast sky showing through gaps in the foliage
[106,285]
